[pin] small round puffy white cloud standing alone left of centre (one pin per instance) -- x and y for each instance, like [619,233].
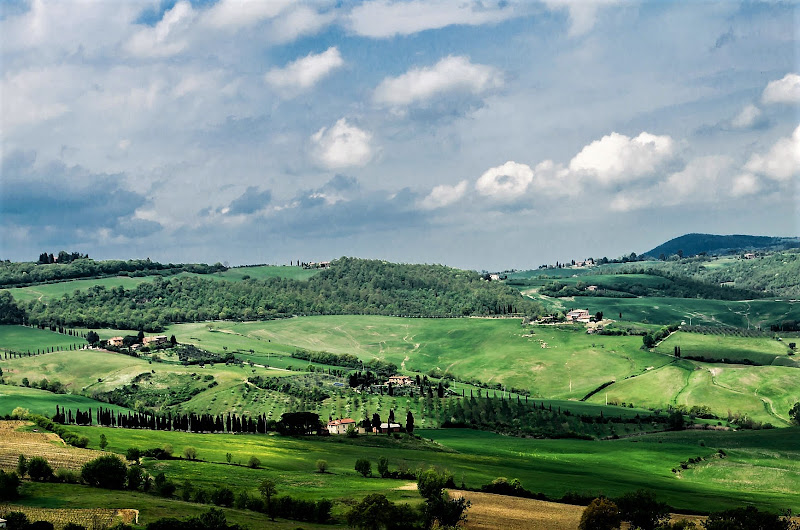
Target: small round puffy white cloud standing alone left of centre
[342,145]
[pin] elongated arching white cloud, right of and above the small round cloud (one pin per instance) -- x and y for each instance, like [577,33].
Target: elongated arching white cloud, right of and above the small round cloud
[451,74]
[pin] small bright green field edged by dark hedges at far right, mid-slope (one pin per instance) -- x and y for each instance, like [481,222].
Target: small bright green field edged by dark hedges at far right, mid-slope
[761,350]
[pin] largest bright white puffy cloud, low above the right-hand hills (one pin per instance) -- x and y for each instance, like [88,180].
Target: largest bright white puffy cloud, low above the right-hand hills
[617,158]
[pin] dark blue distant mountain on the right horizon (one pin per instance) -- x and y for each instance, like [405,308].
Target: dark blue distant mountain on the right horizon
[693,244]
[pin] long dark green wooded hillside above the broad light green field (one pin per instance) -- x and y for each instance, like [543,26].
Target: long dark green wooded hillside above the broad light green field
[350,286]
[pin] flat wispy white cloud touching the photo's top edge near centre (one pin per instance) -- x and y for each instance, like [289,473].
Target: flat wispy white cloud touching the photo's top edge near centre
[382,18]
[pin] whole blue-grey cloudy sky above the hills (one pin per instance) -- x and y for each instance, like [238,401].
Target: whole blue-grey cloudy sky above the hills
[478,134]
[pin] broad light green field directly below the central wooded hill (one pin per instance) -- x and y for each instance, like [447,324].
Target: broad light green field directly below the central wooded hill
[554,362]
